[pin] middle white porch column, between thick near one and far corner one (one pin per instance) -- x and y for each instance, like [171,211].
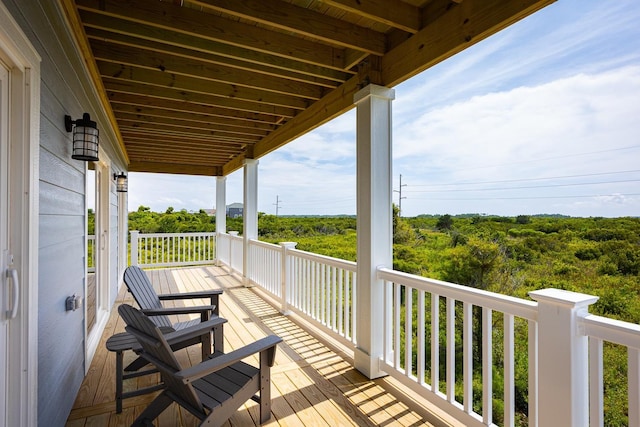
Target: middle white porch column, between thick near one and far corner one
[250,213]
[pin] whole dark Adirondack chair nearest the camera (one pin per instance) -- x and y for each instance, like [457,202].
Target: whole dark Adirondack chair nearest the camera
[212,390]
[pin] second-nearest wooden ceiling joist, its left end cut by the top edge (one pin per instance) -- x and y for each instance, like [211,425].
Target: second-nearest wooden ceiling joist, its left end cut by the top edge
[302,21]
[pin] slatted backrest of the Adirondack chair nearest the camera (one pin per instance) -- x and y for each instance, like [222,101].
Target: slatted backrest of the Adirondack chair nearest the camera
[156,348]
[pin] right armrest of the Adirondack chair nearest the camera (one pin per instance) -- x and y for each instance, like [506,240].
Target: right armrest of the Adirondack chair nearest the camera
[219,362]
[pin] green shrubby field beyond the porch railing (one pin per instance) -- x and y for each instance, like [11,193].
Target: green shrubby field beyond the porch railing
[509,255]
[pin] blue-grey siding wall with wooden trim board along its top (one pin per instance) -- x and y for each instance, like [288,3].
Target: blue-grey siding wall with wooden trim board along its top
[64,90]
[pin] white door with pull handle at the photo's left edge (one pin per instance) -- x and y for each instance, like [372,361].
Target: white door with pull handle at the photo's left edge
[7,280]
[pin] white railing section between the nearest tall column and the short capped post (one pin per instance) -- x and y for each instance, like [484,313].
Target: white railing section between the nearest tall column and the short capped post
[426,319]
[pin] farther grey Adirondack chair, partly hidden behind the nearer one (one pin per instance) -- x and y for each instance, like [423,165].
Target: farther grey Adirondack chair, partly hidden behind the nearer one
[140,286]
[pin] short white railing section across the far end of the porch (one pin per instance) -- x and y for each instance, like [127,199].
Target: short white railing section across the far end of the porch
[172,249]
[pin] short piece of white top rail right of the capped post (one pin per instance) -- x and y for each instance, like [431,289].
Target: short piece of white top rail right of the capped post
[612,330]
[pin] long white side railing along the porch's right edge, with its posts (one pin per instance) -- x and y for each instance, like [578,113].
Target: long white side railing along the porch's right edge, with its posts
[439,337]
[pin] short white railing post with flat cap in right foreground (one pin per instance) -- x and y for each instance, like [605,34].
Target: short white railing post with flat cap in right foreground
[563,358]
